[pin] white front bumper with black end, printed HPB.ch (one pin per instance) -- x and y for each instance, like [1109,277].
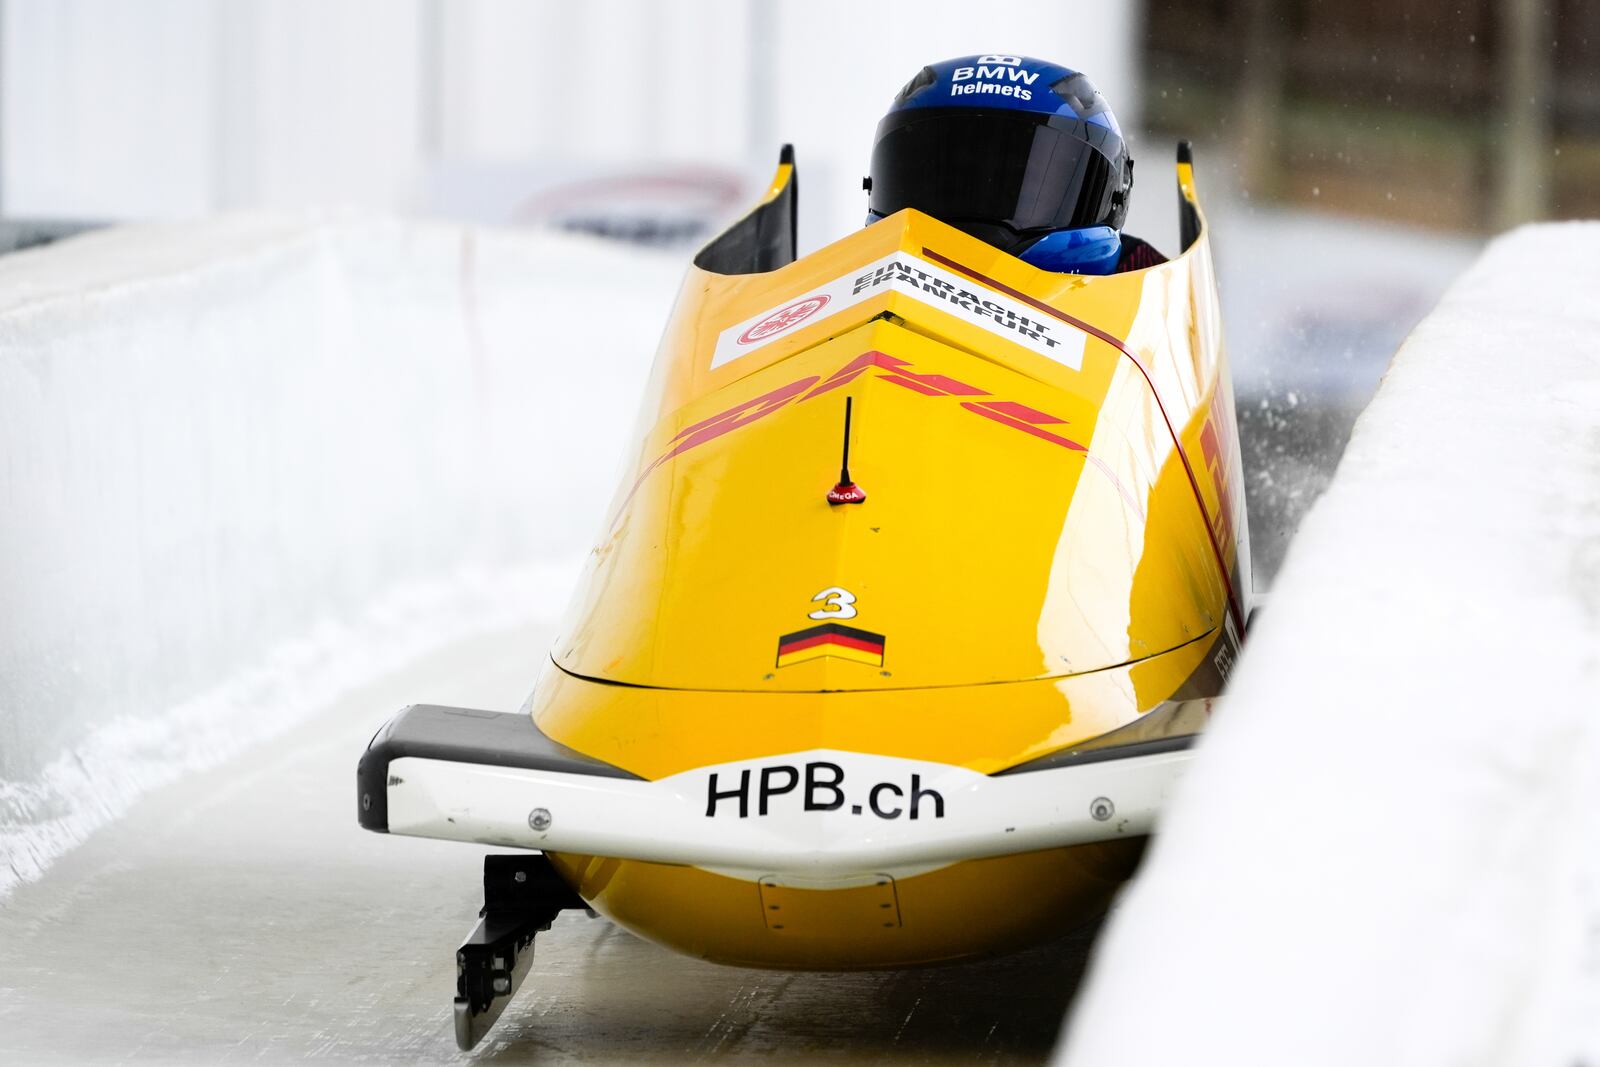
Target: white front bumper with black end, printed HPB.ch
[497,780]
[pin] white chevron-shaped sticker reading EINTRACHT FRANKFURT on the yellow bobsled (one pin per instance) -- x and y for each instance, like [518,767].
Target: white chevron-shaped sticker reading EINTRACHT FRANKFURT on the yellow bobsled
[921,281]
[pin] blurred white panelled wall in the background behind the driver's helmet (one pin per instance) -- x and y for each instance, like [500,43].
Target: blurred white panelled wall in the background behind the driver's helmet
[177,108]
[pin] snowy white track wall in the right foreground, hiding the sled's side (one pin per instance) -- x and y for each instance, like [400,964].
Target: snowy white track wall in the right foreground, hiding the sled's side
[1390,847]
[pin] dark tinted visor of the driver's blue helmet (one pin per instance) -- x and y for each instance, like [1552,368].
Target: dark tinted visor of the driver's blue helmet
[1020,170]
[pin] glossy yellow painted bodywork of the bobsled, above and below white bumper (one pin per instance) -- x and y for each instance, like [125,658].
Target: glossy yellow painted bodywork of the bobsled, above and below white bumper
[1036,591]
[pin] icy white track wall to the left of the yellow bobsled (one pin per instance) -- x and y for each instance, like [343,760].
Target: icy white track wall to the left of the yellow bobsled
[247,465]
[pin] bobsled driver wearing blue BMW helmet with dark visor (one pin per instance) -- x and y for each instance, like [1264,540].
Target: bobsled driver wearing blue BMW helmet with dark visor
[1018,153]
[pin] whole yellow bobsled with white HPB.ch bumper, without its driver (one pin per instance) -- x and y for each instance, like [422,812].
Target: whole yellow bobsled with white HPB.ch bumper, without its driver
[921,581]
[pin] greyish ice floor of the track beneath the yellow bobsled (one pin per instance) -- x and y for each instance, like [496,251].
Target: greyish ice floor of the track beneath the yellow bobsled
[241,916]
